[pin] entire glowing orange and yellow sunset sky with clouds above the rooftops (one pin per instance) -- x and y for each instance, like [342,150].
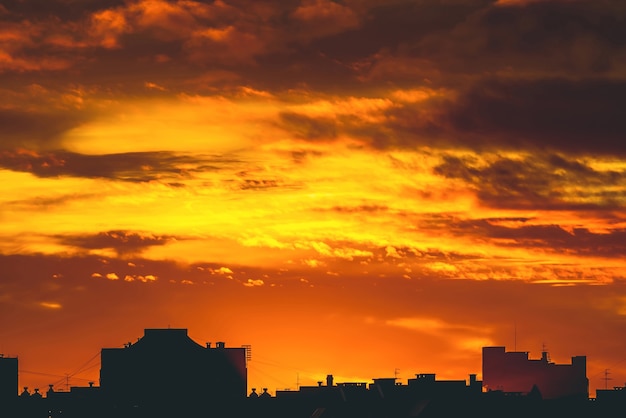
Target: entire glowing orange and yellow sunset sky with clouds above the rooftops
[361,188]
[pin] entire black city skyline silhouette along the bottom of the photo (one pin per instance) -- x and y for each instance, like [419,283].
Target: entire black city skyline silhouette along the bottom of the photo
[166,373]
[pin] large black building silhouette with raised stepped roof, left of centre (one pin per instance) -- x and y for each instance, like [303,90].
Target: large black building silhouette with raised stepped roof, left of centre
[167,369]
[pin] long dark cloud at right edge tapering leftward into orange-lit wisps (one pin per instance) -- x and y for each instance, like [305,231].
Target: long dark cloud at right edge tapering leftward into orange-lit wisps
[545,115]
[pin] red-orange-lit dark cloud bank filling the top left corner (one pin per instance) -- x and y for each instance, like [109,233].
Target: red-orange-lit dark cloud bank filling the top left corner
[148,34]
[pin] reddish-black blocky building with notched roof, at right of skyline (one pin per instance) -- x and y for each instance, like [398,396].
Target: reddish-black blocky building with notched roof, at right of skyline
[514,372]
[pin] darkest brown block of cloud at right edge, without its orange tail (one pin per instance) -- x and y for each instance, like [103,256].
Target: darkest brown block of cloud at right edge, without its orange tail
[573,116]
